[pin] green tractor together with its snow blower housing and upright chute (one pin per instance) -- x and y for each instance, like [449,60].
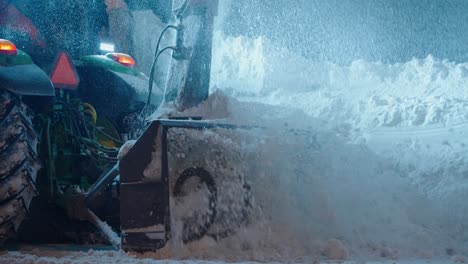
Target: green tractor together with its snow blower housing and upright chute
[66,118]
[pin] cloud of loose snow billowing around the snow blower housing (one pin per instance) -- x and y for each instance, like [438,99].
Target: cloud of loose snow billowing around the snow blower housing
[308,184]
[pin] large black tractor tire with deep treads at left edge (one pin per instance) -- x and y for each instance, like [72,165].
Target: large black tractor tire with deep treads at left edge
[19,163]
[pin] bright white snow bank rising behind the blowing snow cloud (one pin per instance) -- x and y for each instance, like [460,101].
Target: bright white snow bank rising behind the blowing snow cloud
[414,113]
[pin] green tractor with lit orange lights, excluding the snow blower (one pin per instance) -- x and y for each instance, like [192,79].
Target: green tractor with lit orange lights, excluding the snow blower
[64,114]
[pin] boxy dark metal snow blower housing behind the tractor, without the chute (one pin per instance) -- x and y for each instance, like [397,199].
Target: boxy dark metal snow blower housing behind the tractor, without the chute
[155,171]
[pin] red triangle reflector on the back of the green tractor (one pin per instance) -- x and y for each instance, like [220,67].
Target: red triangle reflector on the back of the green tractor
[63,74]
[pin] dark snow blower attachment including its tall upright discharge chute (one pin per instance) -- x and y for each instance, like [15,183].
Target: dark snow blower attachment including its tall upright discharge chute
[151,172]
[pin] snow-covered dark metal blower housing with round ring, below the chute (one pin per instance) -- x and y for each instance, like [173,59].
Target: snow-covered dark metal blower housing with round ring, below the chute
[173,187]
